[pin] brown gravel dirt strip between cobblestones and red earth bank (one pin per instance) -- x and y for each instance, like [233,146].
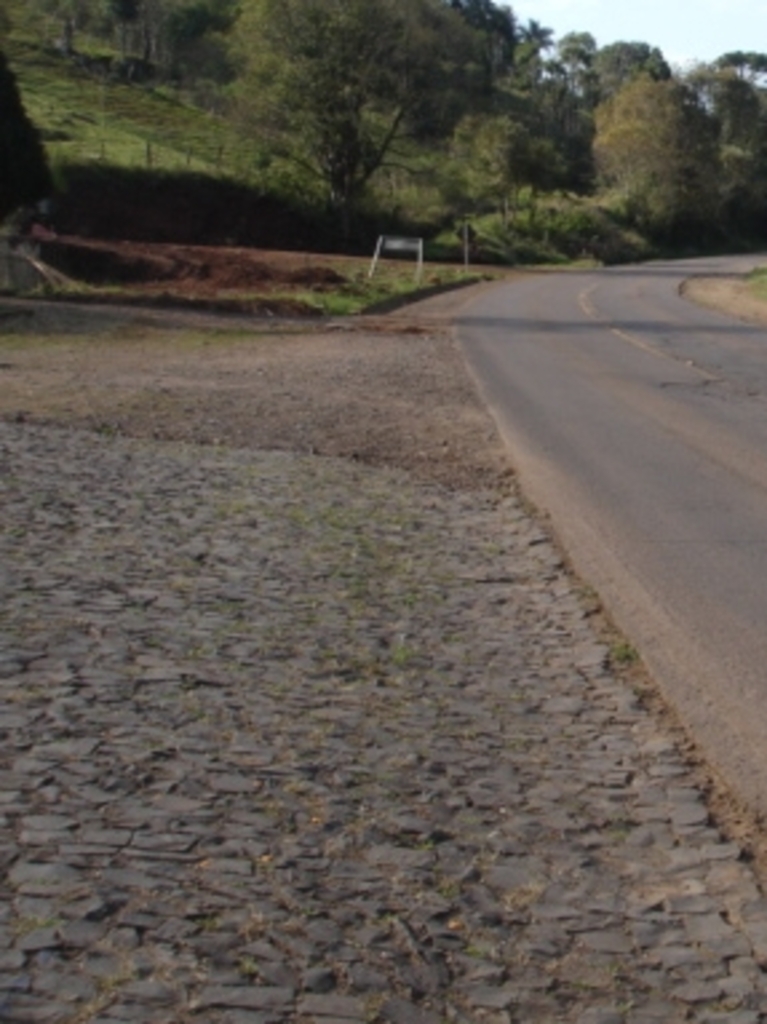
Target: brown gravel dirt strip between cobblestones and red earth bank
[387,392]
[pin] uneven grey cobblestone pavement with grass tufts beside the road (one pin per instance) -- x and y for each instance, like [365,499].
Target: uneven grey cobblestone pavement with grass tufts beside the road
[287,739]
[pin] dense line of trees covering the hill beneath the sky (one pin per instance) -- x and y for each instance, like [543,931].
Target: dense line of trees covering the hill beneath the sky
[361,100]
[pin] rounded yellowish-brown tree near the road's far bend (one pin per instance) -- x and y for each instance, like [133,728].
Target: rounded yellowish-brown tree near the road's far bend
[657,145]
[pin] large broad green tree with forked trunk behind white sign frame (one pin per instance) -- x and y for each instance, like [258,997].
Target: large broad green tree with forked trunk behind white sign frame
[336,84]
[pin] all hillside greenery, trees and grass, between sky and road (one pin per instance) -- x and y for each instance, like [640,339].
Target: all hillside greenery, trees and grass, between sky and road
[321,124]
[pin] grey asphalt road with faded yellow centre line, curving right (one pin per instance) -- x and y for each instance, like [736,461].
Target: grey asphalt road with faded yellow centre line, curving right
[638,421]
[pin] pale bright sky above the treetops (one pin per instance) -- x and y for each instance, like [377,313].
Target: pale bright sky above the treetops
[687,31]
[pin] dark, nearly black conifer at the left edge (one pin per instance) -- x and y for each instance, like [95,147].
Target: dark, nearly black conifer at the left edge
[25,178]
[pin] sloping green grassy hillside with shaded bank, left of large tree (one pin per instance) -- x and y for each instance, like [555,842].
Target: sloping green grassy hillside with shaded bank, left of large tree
[139,162]
